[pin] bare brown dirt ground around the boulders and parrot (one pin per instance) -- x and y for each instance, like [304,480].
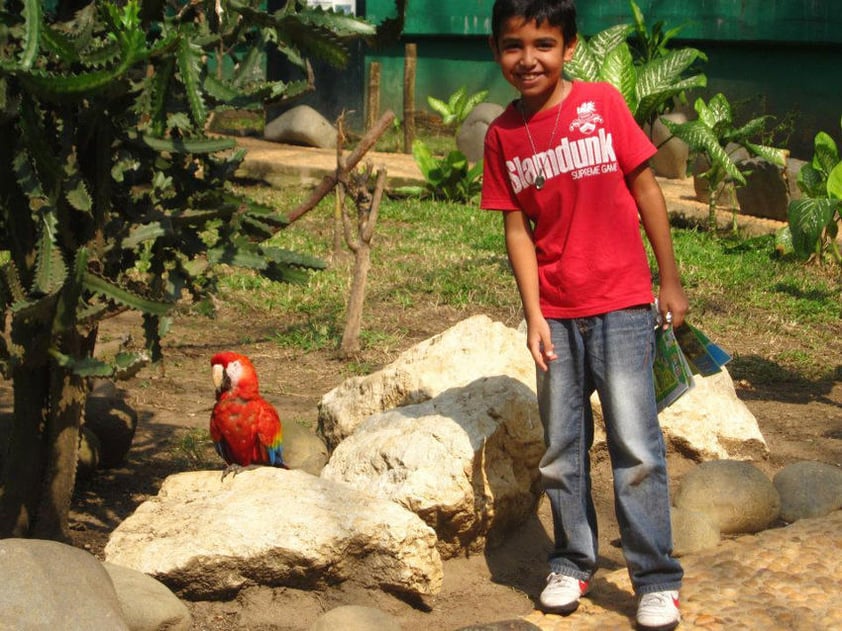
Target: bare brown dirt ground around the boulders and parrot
[800,420]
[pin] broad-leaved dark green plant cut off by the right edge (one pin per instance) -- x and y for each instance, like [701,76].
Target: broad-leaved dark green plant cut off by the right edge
[814,219]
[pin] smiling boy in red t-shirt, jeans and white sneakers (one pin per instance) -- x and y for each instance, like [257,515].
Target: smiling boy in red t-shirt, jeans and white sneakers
[567,165]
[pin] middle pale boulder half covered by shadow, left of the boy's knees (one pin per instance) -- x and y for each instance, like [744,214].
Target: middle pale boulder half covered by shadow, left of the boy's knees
[466,461]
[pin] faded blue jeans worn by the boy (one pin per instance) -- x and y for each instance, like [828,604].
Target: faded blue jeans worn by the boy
[612,354]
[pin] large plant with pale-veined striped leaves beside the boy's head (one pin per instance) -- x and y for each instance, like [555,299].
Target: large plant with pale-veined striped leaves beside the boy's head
[649,82]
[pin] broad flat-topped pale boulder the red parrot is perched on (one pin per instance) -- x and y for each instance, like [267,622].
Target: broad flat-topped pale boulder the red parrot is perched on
[206,538]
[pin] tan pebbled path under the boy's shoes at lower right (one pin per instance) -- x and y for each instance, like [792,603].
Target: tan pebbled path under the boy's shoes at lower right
[784,578]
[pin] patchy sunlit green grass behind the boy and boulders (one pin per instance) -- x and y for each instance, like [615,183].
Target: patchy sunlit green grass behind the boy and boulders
[779,317]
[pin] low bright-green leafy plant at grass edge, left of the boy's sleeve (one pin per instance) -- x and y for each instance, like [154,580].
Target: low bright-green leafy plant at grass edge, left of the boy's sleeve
[450,178]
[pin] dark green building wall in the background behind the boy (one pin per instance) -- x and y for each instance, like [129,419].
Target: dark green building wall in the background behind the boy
[780,57]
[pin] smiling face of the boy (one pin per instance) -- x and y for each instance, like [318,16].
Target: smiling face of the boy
[532,58]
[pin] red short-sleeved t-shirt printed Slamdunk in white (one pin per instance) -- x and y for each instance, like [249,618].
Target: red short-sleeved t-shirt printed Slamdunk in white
[591,258]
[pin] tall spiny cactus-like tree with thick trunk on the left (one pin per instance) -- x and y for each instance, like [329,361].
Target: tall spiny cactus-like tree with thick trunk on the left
[113,197]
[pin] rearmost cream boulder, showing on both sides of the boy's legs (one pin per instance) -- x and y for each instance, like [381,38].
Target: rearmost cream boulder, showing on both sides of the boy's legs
[707,423]
